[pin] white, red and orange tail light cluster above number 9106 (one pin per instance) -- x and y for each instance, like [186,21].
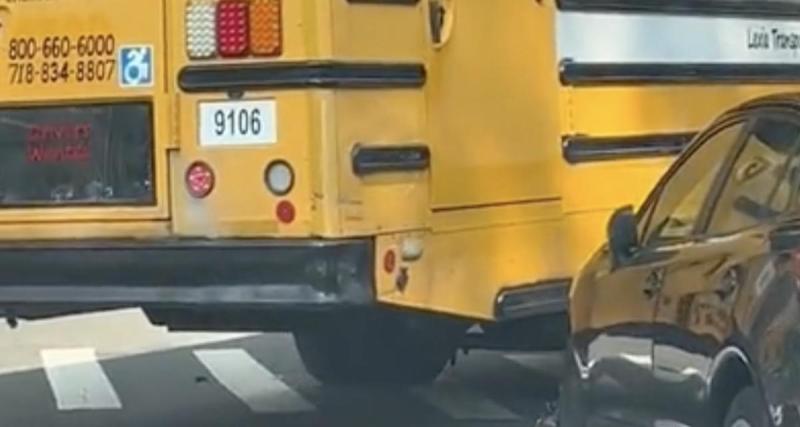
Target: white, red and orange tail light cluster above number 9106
[233,29]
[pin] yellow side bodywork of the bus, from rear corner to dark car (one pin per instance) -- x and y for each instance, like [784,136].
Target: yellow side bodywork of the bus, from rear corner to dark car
[472,247]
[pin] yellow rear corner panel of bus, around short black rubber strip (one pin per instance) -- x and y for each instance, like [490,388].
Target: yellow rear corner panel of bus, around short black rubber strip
[381,200]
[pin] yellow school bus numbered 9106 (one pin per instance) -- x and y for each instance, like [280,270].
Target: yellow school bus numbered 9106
[375,176]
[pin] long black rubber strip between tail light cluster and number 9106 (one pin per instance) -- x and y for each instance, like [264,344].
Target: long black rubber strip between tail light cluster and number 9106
[300,75]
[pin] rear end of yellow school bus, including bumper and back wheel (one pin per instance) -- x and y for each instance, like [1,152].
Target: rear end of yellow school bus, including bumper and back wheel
[223,164]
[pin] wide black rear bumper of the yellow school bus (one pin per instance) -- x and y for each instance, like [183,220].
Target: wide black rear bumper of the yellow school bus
[80,276]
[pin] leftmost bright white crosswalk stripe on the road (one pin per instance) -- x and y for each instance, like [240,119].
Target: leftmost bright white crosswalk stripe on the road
[77,380]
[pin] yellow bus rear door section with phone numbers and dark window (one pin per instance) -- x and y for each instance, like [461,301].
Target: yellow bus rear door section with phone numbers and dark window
[86,58]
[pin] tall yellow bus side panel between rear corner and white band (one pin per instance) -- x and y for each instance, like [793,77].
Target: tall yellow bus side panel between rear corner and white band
[493,127]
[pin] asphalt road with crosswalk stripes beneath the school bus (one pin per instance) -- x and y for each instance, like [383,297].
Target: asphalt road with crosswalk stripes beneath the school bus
[114,369]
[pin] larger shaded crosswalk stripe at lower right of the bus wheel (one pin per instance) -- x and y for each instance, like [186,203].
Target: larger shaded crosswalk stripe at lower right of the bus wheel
[461,403]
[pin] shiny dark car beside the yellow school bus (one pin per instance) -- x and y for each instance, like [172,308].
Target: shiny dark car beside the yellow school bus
[690,315]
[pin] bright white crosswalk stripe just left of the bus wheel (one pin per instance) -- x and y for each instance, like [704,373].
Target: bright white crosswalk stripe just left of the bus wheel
[251,382]
